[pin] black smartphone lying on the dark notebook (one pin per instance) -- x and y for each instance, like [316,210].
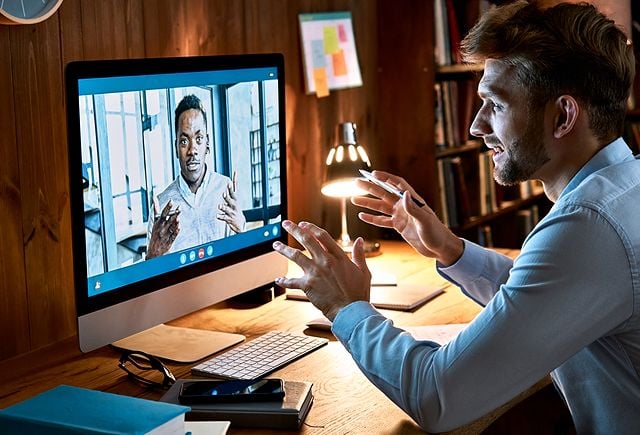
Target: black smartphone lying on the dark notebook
[219,391]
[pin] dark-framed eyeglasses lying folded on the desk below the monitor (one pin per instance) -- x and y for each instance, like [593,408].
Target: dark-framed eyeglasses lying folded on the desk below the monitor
[146,369]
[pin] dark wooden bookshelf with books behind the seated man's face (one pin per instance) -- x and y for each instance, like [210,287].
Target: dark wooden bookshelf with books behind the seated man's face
[451,169]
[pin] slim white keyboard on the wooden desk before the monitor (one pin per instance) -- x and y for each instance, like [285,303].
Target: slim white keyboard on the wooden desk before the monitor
[260,356]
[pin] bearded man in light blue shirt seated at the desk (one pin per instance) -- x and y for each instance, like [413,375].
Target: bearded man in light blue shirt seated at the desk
[554,94]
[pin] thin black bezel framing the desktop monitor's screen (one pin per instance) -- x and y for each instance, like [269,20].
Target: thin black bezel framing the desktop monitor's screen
[76,71]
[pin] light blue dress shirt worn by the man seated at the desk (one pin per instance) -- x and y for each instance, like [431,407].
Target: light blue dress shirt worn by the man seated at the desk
[569,304]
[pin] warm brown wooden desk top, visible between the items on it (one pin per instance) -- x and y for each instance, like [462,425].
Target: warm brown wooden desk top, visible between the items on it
[345,401]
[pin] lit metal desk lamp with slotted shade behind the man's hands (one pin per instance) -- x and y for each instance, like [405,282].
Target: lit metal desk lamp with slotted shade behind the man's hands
[343,164]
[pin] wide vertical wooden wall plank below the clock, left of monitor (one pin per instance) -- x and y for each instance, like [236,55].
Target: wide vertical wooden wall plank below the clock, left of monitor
[42,154]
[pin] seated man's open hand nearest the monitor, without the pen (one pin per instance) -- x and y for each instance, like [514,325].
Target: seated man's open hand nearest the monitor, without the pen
[331,280]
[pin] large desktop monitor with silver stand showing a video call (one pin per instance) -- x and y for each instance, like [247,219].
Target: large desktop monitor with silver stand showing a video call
[143,132]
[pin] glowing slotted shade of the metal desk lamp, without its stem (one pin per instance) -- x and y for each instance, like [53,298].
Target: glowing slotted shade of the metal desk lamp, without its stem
[343,164]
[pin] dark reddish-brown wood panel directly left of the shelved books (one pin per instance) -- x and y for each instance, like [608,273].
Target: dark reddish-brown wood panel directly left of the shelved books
[406,81]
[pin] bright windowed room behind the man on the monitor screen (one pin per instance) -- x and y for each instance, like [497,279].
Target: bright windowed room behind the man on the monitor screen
[129,156]
